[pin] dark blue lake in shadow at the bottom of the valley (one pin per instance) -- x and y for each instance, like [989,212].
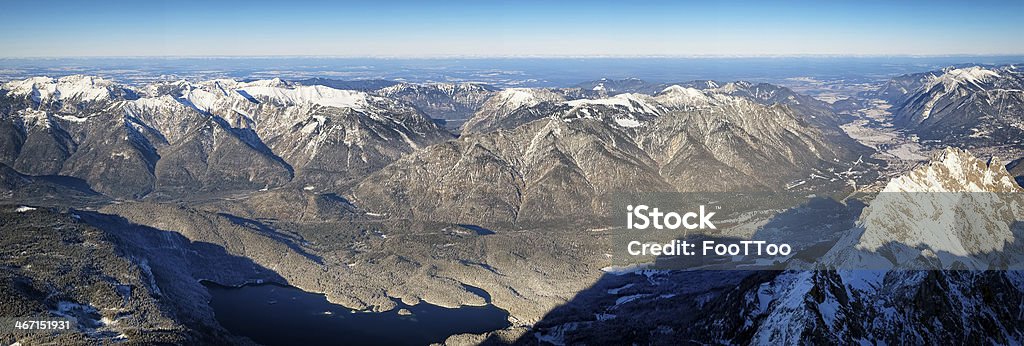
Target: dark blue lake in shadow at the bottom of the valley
[274,315]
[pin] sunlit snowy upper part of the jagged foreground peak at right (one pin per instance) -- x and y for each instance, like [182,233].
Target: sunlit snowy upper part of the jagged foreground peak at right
[954,209]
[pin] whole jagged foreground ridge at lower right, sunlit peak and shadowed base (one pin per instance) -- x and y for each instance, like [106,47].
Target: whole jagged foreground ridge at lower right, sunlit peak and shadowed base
[881,283]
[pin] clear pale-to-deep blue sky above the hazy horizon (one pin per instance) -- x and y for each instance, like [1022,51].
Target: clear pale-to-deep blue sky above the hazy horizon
[524,28]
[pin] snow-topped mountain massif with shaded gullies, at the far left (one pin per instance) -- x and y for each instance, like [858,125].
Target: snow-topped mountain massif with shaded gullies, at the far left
[177,138]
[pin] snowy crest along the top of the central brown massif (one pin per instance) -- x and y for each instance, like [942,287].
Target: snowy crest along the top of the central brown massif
[639,103]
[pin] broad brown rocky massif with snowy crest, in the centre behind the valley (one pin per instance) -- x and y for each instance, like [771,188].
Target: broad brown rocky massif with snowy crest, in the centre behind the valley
[580,153]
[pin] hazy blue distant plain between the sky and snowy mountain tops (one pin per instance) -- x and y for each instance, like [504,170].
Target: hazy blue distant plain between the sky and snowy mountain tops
[510,72]
